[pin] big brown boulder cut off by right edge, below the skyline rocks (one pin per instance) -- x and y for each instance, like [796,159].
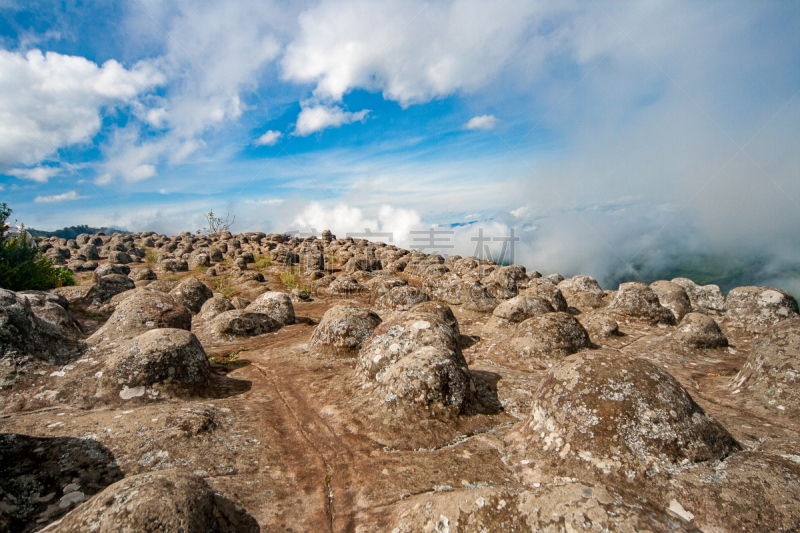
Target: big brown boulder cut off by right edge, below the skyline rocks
[771,375]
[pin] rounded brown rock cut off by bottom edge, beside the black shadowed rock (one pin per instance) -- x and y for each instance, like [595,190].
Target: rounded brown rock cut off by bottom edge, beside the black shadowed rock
[152,502]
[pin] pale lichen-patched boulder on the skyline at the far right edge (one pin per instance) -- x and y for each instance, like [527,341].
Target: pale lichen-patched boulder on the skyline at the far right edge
[754,309]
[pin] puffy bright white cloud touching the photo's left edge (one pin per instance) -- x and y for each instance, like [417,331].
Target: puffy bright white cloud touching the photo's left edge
[53,100]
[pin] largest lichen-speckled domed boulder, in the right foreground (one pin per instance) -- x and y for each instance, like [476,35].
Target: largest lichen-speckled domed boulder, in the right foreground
[606,416]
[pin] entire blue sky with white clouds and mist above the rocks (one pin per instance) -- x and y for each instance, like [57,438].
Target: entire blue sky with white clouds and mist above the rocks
[604,133]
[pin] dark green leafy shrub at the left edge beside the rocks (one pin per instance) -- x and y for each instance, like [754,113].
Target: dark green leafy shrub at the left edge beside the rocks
[23,266]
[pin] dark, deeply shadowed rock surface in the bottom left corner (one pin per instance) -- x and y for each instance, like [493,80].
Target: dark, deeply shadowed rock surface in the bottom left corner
[45,477]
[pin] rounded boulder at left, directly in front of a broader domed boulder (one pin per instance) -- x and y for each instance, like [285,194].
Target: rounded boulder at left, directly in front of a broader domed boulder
[156,357]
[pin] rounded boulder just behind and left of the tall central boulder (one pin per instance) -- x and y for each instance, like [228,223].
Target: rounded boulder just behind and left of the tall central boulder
[343,329]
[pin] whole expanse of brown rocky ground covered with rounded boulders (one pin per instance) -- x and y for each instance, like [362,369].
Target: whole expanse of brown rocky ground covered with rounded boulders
[265,383]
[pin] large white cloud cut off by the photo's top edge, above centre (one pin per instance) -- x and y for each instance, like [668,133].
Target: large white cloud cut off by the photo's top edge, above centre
[410,51]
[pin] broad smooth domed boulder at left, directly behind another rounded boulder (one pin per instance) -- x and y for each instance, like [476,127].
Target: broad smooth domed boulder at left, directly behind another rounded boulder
[142,311]
